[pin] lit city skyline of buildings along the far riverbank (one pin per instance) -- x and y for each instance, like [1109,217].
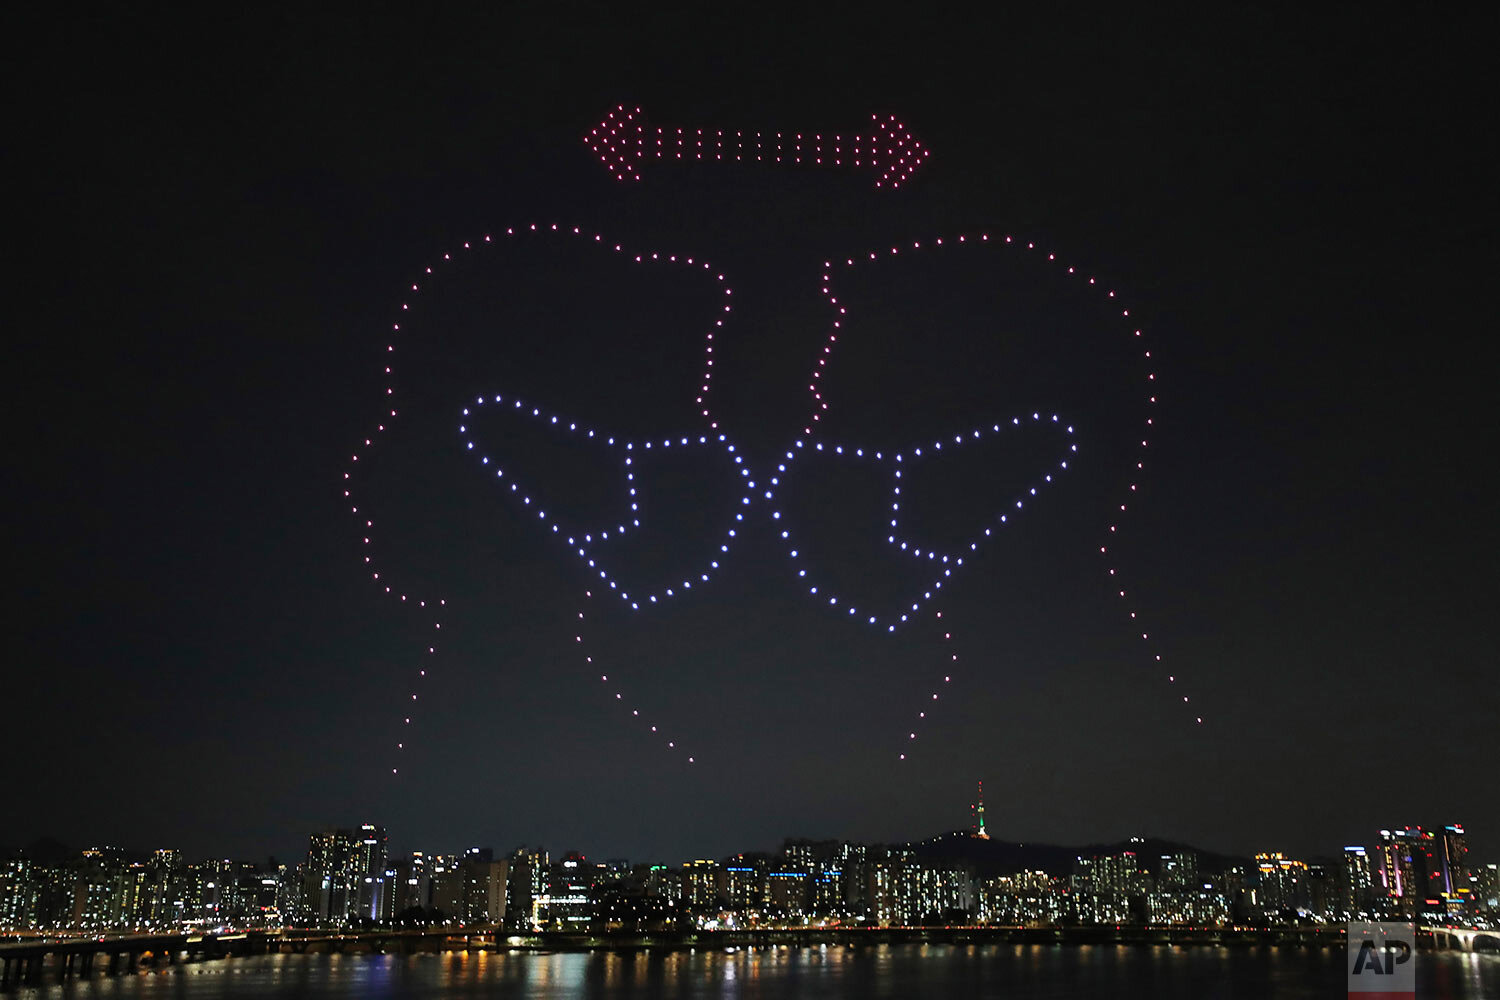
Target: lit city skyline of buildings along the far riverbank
[350,878]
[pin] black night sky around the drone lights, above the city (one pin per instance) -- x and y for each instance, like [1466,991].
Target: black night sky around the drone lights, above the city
[217,224]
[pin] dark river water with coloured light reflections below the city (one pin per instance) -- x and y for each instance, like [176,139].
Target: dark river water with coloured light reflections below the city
[794,974]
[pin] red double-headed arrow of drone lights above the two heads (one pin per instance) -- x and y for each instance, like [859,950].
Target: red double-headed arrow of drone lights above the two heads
[623,143]
